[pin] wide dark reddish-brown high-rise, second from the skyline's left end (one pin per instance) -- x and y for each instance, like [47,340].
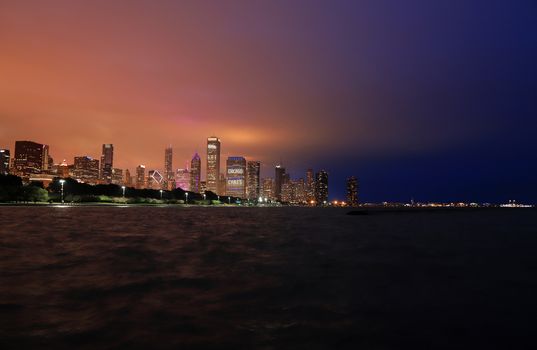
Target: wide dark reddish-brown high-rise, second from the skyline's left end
[30,158]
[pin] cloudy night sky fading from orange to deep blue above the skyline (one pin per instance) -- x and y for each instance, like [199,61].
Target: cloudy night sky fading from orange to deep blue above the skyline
[431,100]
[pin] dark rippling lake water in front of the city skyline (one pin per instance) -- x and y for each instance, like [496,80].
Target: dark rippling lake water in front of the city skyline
[266,278]
